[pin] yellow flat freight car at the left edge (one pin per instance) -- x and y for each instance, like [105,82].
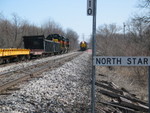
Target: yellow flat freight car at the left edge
[11,54]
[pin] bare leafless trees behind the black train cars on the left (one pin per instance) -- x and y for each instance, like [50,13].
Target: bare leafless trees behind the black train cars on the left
[11,31]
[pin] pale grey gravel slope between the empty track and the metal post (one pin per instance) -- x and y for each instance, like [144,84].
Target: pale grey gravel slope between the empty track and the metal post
[63,90]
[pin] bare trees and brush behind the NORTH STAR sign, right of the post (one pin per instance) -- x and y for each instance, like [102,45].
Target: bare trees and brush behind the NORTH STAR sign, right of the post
[130,39]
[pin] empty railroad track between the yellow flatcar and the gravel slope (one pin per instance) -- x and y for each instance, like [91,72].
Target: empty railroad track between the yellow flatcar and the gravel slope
[9,79]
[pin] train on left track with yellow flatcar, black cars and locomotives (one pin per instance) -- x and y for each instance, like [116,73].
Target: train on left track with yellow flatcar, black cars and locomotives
[36,46]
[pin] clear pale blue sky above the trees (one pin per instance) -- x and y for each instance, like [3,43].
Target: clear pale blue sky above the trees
[70,13]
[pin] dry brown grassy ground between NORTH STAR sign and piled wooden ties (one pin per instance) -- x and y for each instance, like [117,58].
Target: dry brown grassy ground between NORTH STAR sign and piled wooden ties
[125,77]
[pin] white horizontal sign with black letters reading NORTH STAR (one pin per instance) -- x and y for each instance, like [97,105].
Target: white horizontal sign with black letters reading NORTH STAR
[121,61]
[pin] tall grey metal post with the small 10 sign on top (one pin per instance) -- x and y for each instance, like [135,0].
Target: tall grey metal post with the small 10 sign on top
[91,11]
